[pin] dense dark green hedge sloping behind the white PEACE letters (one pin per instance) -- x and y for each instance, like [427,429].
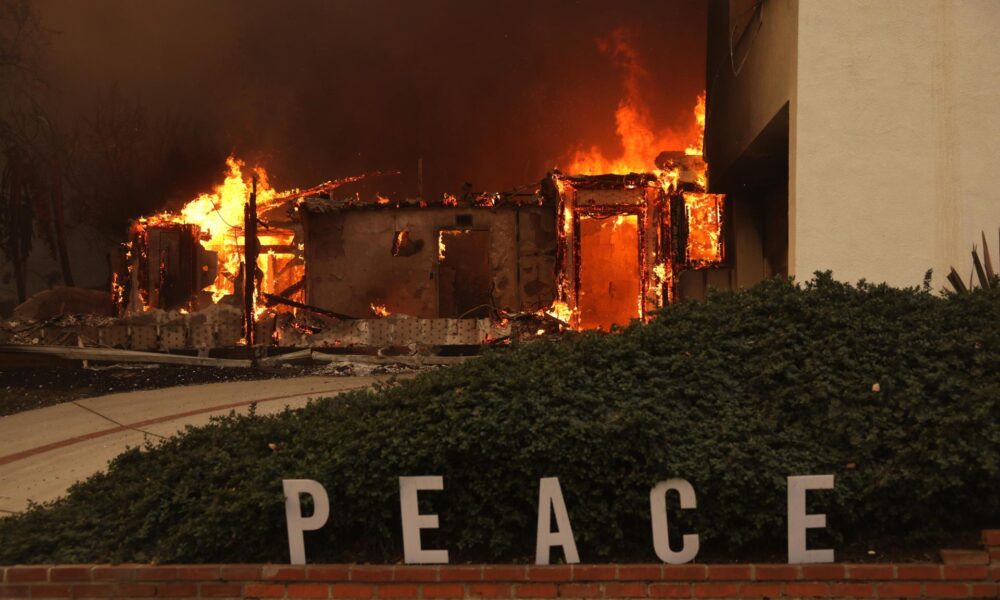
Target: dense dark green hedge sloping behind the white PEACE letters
[733,394]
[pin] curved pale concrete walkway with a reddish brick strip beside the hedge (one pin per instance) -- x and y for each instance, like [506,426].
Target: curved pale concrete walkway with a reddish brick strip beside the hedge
[44,451]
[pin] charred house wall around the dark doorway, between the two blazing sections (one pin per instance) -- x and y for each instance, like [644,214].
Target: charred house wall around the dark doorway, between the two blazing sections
[355,258]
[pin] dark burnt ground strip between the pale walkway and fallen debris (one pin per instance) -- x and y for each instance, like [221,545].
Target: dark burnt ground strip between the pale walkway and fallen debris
[29,388]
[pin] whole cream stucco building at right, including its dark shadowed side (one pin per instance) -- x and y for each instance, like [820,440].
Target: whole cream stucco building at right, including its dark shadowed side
[857,136]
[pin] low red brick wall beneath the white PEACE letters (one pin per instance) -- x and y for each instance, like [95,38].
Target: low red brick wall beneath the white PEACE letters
[961,574]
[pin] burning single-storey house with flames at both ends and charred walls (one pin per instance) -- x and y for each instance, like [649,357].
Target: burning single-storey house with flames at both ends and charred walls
[596,248]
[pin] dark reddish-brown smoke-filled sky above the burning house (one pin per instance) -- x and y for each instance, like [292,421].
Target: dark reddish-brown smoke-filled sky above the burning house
[489,92]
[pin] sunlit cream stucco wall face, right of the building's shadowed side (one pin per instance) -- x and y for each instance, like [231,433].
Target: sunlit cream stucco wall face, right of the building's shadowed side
[895,138]
